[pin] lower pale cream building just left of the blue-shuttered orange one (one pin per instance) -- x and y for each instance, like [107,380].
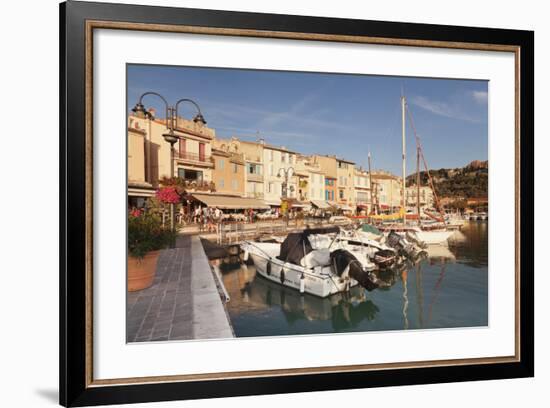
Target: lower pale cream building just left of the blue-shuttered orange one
[311,180]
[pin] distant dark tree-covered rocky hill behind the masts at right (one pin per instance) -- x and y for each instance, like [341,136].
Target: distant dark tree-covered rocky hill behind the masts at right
[469,181]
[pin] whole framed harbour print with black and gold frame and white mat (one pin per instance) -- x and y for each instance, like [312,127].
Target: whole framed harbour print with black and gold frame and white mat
[256,203]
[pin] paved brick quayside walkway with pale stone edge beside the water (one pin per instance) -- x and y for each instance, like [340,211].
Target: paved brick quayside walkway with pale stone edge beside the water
[183,303]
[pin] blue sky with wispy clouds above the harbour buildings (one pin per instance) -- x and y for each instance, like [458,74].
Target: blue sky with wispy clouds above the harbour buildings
[346,115]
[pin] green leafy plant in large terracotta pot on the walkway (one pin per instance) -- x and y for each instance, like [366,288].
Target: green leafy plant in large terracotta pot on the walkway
[146,238]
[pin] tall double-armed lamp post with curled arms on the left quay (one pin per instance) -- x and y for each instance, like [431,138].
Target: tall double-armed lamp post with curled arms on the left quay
[171,125]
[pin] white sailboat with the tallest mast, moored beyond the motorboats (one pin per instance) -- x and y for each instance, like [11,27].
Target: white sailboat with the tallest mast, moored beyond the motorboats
[434,234]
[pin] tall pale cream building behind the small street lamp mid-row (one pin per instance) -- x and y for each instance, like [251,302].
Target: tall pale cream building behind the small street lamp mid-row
[276,161]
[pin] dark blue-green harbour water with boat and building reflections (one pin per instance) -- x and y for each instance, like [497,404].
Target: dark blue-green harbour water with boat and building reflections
[447,289]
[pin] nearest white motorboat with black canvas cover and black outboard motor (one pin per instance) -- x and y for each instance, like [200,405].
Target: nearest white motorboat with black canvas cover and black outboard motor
[313,265]
